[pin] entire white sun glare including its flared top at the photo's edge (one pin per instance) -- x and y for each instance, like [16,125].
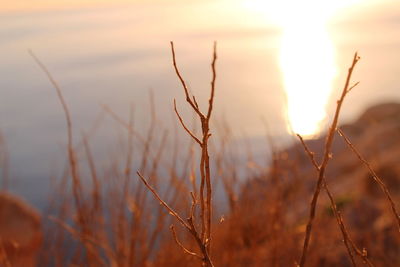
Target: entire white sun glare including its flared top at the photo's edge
[307,57]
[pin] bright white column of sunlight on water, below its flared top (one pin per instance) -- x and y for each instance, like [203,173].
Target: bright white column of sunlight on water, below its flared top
[307,63]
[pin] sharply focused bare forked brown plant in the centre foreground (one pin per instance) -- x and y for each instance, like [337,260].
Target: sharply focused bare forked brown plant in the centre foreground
[203,236]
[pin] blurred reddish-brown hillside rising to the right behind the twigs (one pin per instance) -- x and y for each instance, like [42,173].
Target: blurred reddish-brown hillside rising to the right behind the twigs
[267,225]
